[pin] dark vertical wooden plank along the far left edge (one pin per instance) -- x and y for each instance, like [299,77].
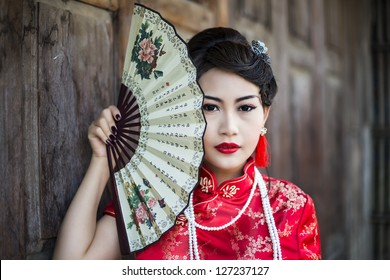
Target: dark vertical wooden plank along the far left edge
[11,131]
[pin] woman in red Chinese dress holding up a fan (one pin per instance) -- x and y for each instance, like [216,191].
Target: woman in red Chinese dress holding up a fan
[232,213]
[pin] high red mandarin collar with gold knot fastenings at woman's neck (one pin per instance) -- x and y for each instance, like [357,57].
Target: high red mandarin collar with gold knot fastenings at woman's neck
[228,189]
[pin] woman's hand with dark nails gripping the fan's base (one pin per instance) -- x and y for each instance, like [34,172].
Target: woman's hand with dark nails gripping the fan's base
[103,130]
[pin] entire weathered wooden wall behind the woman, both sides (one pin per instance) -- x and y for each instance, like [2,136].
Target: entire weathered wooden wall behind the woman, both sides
[60,63]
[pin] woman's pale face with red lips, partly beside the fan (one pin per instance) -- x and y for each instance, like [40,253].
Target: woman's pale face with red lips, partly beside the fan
[235,116]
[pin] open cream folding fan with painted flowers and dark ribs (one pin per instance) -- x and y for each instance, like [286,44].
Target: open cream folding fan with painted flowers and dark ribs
[155,159]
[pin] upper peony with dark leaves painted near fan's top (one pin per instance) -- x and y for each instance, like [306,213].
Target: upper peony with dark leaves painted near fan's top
[146,52]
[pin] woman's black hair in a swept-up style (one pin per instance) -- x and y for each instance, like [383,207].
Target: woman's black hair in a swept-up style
[227,49]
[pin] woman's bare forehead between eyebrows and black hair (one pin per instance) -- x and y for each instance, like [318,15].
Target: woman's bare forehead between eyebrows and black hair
[226,85]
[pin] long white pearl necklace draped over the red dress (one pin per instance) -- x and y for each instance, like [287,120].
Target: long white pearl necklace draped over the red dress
[192,224]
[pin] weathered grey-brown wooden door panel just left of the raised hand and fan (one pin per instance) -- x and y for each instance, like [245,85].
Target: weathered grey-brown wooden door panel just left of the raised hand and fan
[76,80]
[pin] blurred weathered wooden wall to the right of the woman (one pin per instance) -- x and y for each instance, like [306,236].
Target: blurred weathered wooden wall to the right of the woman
[319,51]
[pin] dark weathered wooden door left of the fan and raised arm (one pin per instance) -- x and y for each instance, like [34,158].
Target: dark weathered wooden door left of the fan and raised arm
[58,68]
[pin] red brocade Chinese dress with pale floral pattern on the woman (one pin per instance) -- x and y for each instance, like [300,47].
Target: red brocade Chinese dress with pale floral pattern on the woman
[248,238]
